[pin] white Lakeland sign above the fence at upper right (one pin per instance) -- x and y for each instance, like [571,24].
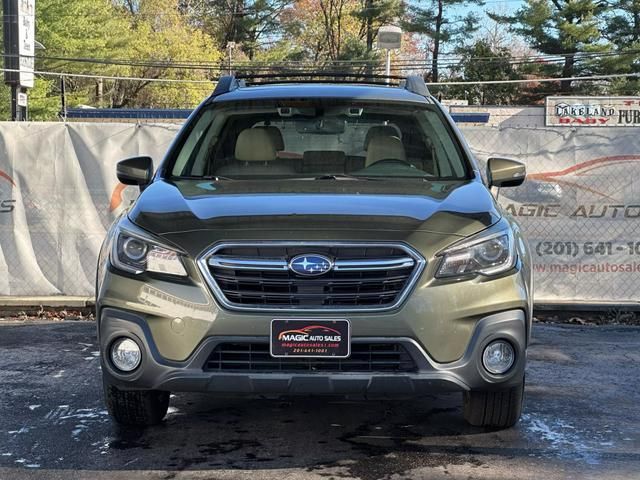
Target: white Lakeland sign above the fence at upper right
[592,111]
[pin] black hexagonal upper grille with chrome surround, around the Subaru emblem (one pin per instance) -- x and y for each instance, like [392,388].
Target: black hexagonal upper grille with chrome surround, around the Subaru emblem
[372,276]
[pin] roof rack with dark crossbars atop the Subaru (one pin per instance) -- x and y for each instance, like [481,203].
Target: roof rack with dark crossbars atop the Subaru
[412,83]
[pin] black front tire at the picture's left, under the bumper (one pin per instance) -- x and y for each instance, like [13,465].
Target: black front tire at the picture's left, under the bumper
[141,408]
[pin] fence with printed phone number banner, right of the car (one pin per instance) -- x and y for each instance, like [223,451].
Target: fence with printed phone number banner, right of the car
[580,205]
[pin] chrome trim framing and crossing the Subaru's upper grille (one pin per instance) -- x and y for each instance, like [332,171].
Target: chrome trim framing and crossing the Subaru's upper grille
[208,259]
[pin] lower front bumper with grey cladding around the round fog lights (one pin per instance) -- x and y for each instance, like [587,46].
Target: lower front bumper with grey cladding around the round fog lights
[466,373]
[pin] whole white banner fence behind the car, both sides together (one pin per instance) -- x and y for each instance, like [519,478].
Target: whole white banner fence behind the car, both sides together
[580,207]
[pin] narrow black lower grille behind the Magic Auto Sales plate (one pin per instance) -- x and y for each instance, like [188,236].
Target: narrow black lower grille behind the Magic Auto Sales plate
[255,357]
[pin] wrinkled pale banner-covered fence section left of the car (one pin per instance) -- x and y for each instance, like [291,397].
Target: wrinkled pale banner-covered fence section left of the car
[59,194]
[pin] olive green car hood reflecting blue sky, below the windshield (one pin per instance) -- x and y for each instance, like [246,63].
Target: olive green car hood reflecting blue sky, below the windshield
[453,208]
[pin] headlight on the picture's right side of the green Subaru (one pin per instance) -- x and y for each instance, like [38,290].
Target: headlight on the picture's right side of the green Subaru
[486,256]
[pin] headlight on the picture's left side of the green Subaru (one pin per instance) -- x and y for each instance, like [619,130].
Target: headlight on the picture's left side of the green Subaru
[136,254]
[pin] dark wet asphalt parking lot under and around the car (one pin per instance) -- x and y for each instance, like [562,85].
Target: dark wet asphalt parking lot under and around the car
[582,420]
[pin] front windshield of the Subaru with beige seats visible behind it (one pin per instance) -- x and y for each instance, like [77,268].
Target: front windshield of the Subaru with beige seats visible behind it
[319,139]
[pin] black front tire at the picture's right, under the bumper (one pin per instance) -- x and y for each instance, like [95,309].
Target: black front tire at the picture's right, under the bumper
[495,409]
